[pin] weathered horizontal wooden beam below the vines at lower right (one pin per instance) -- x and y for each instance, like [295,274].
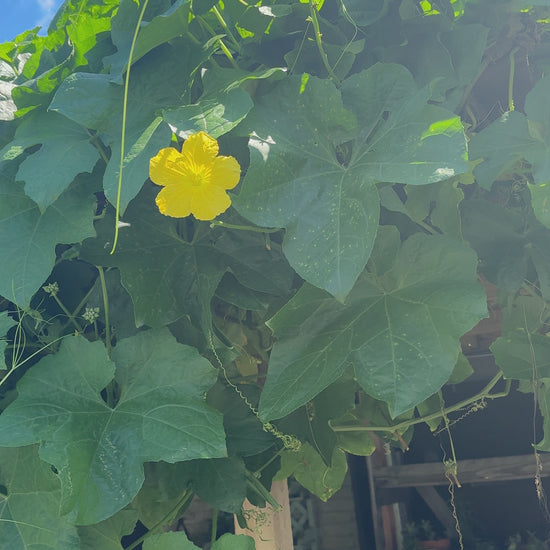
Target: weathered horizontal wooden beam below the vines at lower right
[479,470]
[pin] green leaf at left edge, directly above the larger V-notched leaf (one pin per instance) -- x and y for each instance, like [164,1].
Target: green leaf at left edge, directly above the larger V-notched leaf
[65,152]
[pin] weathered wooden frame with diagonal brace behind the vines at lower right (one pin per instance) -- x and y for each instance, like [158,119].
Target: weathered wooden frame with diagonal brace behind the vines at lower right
[389,481]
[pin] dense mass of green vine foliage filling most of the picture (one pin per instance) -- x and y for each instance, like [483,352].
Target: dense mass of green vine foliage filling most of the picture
[394,165]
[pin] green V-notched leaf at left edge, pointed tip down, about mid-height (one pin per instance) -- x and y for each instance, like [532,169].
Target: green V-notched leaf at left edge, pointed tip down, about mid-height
[28,237]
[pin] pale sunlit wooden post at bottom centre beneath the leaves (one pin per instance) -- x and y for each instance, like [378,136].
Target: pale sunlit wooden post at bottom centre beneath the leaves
[271,530]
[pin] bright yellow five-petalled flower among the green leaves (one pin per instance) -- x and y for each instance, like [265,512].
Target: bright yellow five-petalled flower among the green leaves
[195,180]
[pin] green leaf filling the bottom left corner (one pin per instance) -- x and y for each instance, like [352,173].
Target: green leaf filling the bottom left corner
[29,509]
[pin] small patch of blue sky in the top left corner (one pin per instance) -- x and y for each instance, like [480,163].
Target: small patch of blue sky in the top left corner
[19,15]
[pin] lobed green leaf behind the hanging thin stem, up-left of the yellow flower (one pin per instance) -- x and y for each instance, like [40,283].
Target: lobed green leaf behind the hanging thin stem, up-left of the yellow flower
[95,102]
